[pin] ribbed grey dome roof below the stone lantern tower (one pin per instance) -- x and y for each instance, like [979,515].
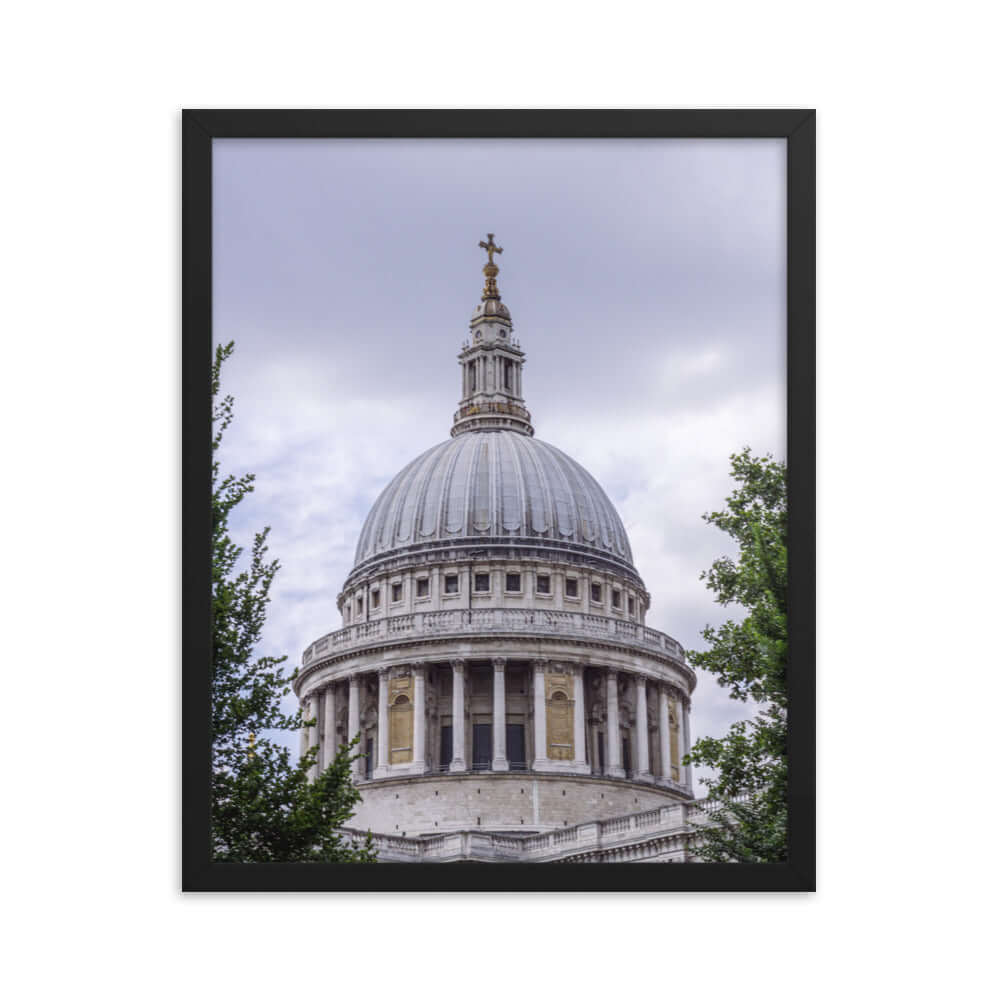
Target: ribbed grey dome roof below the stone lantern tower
[493,485]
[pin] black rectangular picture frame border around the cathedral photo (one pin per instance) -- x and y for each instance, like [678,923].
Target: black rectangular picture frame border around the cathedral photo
[199,129]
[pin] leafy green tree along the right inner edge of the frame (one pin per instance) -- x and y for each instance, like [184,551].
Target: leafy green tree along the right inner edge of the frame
[748,795]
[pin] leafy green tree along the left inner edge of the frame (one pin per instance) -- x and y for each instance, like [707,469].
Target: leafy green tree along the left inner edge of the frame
[264,808]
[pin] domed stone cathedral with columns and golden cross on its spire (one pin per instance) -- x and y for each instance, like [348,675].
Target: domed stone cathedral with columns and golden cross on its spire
[493,652]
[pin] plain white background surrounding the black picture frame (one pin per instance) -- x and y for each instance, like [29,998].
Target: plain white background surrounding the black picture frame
[907,683]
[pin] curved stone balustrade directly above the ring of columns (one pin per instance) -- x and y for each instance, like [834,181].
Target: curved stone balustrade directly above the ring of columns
[479,621]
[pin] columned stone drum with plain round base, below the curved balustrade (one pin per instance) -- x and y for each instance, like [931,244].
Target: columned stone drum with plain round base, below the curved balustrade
[480,716]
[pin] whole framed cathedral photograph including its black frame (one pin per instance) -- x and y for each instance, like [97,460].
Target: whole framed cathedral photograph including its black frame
[498,500]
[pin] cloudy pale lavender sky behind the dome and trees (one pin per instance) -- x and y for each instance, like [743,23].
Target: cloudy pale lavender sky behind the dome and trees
[646,282]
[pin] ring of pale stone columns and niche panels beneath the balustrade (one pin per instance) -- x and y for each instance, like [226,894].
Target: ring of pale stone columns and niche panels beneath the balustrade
[560,744]
